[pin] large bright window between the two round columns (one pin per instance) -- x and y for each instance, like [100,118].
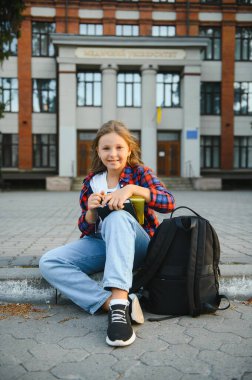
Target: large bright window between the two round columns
[128,90]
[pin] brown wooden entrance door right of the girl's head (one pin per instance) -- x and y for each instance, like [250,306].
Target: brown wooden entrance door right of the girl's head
[168,154]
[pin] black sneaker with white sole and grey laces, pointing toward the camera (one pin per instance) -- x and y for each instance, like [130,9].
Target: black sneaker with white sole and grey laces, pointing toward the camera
[120,331]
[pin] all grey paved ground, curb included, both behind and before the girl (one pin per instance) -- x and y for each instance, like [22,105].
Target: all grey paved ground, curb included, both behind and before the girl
[63,342]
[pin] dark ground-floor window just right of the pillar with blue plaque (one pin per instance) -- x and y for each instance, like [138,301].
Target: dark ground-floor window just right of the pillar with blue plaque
[210,152]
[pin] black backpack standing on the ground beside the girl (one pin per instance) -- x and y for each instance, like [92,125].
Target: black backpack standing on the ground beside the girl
[180,275]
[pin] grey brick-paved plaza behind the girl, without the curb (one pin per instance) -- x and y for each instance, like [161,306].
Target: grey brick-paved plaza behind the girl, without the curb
[31,223]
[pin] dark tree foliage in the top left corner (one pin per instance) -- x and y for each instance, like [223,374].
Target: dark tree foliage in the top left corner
[10,23]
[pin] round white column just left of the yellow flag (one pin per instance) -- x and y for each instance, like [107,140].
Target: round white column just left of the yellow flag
[148,123]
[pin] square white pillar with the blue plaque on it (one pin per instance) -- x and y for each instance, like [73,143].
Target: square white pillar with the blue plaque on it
[190,138]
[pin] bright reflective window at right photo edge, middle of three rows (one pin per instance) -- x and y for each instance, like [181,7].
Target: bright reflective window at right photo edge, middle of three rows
[243,98]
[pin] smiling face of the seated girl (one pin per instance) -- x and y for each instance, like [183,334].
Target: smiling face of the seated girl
[113,151]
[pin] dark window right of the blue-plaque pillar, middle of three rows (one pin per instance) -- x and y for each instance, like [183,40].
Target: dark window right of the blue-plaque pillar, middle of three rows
[210,101]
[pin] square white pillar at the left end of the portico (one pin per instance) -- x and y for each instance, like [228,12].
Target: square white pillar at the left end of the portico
[67,120]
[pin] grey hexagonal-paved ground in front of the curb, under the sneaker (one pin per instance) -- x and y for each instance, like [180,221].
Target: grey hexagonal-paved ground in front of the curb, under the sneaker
[64,342]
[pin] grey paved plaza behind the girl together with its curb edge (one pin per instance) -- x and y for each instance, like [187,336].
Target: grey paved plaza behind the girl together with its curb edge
[33,222]
